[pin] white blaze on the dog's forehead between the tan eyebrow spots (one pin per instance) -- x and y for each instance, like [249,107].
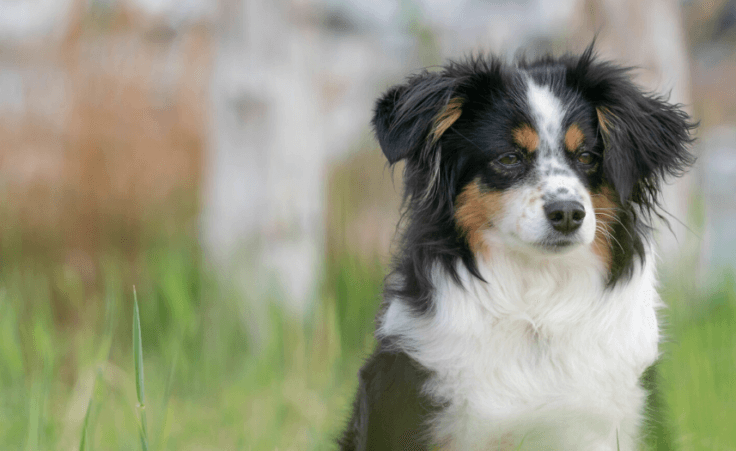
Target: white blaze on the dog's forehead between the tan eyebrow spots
[547,111]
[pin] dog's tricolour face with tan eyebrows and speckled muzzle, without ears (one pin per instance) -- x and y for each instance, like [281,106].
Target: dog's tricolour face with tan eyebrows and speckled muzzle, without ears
[537,171]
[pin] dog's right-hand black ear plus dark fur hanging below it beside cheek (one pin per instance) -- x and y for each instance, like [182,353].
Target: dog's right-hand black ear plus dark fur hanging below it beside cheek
[648,140]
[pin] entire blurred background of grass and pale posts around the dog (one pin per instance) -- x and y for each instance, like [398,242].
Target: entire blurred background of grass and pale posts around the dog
[218,156]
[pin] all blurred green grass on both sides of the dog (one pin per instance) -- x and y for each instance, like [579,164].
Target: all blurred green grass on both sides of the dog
[69,377]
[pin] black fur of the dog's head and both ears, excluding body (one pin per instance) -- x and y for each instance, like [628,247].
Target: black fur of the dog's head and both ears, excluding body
[648,140]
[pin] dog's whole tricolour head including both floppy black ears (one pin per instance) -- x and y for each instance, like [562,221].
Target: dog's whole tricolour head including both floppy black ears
[542,157]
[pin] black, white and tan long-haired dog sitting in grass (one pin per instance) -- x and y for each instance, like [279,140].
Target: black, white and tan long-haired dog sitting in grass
[521,309]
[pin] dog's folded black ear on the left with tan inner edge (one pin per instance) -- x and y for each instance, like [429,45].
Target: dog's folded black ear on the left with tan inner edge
[410,117]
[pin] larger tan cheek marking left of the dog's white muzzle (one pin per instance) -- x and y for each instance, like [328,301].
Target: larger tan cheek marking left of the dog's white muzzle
[474,210]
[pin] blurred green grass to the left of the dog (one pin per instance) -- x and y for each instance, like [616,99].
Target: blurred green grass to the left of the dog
[206,386]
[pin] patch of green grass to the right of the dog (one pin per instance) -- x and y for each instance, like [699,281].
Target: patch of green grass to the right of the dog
[699,364]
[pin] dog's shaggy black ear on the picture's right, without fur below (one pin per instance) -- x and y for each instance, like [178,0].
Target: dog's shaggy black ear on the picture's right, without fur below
[645,137]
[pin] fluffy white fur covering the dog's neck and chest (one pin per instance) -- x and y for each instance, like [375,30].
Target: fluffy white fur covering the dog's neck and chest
[540,354]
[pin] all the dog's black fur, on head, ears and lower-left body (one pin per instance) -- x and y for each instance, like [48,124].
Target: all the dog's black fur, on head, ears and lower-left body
[642,140]
